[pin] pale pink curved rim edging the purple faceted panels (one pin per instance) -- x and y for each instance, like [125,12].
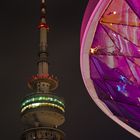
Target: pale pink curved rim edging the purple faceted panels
[88,29]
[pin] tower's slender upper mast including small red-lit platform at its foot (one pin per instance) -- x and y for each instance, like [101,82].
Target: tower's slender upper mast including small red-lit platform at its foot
[43,81]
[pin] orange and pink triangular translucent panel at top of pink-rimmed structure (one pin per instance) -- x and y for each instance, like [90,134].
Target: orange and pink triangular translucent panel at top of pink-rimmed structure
[119,12]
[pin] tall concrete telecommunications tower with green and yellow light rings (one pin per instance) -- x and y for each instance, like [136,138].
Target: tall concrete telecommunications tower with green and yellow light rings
[42,111]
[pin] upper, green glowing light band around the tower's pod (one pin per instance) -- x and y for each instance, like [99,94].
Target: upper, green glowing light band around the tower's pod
[42,98]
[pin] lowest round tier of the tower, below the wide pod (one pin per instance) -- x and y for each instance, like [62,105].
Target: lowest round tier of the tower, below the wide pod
[42,133]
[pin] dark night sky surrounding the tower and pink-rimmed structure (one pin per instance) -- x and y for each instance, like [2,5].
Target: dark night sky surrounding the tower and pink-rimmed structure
[19,39]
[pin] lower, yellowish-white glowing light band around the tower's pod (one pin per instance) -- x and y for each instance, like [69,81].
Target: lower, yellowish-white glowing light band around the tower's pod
[35,105]
